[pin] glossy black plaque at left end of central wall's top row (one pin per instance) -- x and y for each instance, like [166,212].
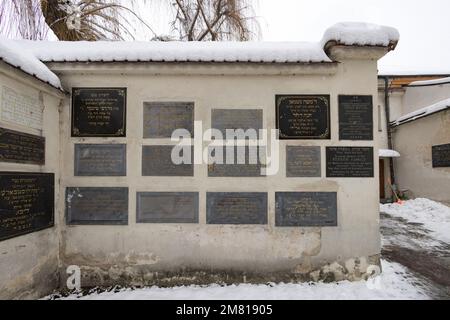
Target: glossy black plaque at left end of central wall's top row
[99,112]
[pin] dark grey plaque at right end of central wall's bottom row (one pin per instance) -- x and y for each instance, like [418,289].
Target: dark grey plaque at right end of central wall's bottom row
[305,209]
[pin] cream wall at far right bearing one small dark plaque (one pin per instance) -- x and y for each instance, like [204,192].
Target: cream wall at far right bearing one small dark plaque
[415,170]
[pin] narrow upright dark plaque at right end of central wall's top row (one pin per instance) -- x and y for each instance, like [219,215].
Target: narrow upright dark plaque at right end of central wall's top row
[355,117]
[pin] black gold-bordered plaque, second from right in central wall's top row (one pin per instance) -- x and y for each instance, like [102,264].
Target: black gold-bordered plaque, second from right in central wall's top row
[303,116]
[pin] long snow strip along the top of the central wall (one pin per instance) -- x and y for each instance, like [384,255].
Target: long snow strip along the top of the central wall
[176,51]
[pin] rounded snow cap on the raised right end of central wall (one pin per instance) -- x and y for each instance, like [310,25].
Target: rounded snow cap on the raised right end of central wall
[361,34]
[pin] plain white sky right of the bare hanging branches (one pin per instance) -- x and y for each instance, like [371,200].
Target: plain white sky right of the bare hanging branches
[424,27]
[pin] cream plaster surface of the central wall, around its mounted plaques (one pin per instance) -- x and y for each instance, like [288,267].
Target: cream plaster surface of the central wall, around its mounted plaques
[136,250]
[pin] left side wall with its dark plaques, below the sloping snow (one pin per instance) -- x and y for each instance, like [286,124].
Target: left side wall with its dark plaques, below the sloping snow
[29,242]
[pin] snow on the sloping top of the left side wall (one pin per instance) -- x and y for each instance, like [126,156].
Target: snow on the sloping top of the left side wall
[26,61]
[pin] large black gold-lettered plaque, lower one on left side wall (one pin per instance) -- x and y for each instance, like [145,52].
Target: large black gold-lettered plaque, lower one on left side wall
[26,203]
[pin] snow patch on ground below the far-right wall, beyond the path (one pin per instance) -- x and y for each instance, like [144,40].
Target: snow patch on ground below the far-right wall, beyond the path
[434,216]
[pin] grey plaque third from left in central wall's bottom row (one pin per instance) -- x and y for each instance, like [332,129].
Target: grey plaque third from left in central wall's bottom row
[236,208]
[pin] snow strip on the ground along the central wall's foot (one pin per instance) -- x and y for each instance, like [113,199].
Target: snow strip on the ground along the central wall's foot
[394,283]
